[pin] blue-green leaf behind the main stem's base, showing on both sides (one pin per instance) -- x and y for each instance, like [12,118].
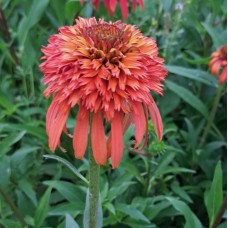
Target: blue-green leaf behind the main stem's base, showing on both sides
[86,212]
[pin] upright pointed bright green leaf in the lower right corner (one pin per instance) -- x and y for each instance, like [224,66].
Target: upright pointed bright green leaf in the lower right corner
[214,197]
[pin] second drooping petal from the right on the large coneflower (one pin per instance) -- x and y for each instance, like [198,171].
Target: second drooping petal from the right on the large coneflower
[139,121]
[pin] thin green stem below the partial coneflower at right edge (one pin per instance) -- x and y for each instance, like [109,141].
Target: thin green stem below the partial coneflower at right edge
[211,116]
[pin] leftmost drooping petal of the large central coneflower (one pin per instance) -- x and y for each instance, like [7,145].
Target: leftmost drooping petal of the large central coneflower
[57,124]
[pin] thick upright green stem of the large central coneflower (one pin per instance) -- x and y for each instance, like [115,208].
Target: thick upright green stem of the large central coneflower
[94,169]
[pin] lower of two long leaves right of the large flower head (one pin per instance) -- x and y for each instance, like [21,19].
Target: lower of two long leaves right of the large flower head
[188,97]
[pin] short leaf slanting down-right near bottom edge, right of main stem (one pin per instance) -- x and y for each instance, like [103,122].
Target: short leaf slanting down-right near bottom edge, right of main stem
[132,212]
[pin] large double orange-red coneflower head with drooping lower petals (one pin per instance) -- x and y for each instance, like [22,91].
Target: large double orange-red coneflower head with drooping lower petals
[108,70]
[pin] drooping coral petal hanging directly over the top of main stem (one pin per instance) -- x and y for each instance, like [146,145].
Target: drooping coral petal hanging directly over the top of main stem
[98,139]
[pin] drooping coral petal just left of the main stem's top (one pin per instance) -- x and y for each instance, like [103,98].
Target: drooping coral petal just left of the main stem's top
[80,138]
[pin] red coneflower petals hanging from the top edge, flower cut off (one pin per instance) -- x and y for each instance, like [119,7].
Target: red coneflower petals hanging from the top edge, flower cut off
[110,5]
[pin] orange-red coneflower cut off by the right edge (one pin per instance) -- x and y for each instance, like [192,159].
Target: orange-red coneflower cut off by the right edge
[218,64]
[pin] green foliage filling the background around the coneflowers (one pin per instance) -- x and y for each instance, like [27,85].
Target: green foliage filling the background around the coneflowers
[178,185]
